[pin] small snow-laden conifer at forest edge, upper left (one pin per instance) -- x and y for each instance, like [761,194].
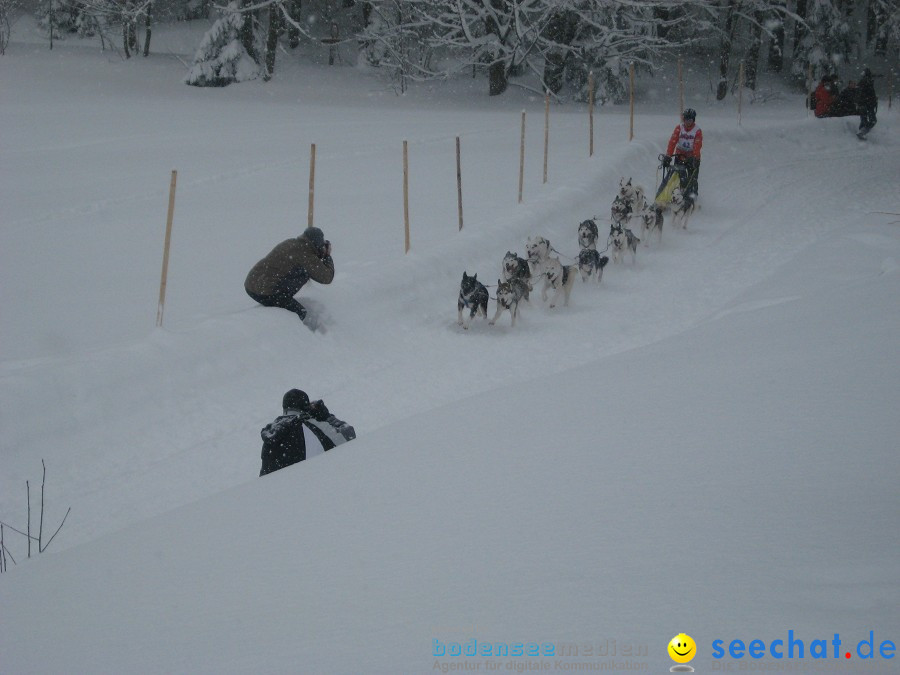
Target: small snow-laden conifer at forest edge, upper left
[228,52]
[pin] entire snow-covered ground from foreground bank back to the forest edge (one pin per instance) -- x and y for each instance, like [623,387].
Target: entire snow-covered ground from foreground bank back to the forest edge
[705,443]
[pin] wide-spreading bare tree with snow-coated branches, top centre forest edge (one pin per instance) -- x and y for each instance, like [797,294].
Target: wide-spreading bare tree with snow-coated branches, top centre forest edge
[559,41]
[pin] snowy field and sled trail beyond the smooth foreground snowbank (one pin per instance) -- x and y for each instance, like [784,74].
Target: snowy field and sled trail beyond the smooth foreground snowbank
[129,415]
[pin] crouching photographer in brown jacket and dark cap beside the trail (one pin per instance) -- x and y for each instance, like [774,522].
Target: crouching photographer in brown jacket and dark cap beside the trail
[276,279]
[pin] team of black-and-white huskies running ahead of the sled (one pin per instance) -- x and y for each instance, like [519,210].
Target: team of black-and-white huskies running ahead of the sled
[517,275]
